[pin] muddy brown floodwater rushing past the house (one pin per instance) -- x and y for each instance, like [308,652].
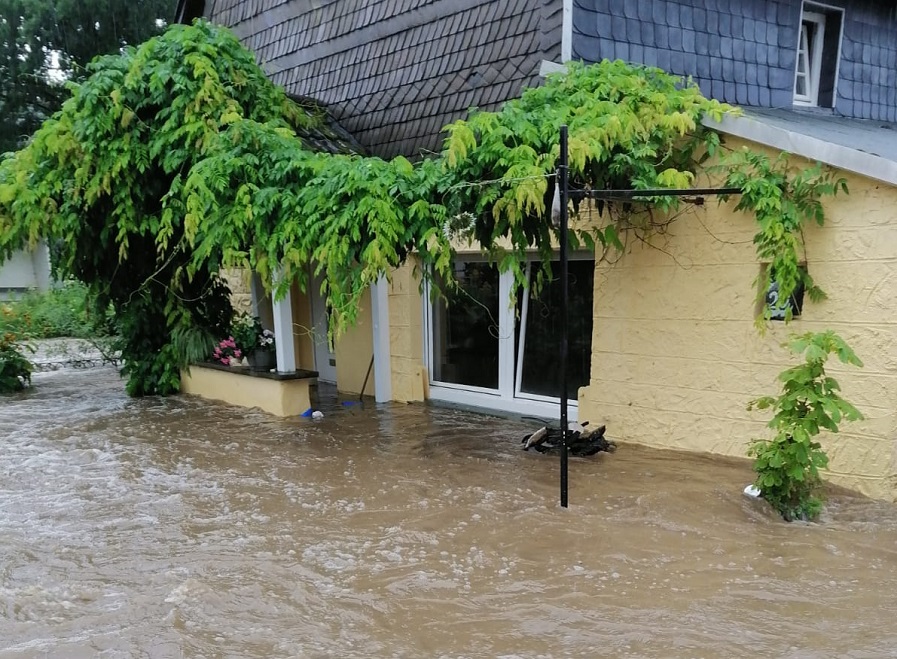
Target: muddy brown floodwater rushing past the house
[181,528]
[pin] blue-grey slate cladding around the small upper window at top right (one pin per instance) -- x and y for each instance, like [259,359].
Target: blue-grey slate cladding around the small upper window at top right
[744,52]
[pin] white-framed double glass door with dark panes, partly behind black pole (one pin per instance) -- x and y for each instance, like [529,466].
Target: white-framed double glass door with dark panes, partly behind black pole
[483,351]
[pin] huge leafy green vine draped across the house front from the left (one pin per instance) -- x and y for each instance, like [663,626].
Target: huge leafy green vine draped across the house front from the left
[178,158]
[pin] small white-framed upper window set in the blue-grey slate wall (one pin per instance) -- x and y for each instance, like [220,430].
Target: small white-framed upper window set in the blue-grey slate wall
[818,53]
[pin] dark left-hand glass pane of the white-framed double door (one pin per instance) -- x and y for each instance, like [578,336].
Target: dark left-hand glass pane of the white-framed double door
[465,328]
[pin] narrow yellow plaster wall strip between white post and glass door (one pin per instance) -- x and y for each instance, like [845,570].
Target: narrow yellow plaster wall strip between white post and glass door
[409,374]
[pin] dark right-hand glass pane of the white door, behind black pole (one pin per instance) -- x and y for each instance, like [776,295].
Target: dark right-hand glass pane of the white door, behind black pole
[541,372]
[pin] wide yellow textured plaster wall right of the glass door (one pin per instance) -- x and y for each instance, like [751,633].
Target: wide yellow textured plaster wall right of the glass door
[676,357]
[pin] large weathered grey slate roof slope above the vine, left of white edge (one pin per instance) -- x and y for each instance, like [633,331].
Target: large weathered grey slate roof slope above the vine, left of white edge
[394,72]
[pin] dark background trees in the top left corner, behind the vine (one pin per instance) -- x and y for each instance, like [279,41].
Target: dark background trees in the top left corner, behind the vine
[75,32]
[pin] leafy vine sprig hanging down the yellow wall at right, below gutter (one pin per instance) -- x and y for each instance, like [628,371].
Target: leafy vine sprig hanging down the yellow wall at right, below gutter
[783,203]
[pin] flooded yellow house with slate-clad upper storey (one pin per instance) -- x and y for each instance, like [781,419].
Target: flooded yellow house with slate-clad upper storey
[663,344]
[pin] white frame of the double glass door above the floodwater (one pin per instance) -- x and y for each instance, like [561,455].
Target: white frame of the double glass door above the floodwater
[507,397]
